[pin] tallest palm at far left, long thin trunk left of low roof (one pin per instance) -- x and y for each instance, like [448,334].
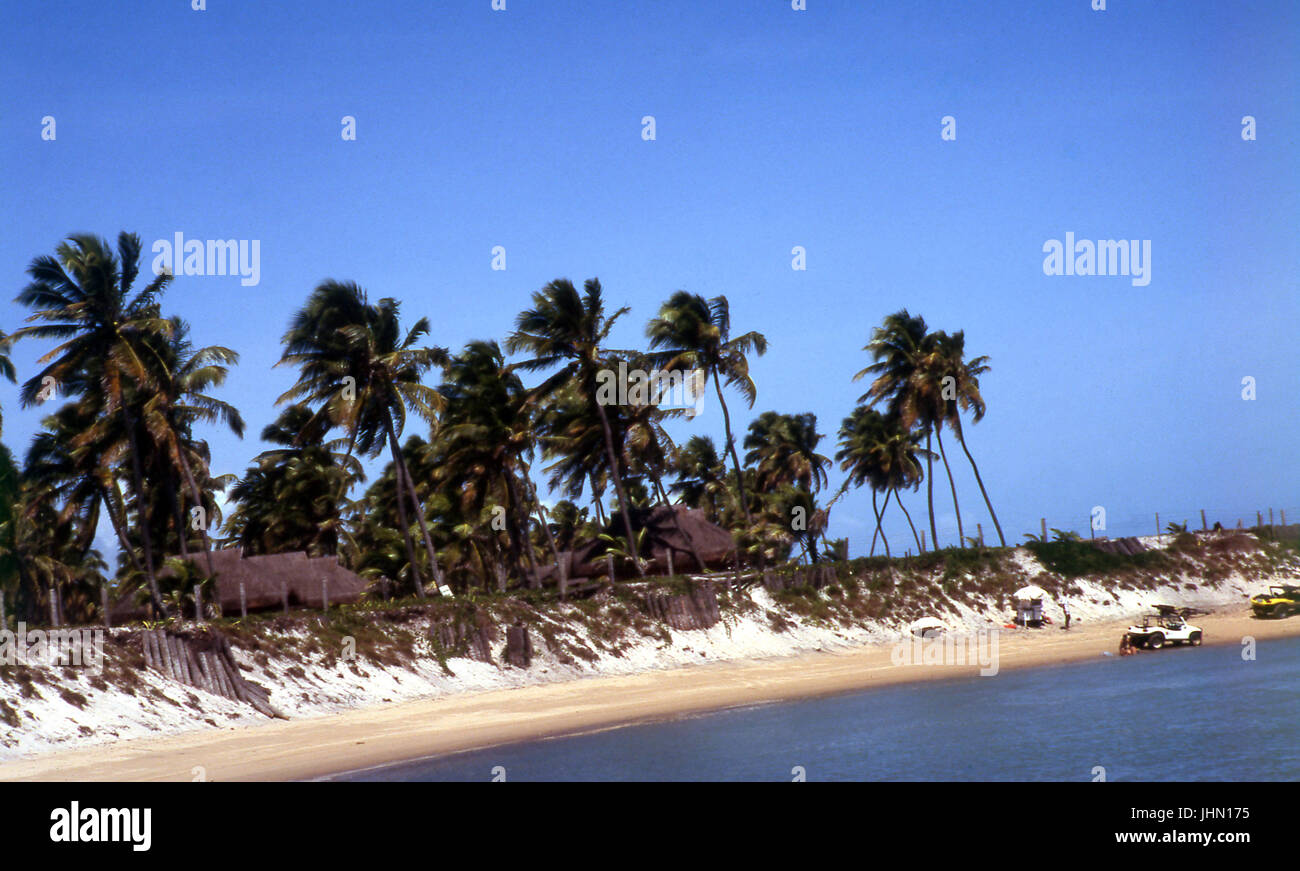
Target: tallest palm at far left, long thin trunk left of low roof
[83,298]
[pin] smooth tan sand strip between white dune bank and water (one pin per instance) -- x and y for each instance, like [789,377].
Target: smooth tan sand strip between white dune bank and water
[384,735]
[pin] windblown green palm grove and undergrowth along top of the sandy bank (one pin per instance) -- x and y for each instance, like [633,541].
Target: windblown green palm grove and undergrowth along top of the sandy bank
[467,436]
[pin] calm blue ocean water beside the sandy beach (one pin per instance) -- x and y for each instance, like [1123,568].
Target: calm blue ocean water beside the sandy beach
[1178,714]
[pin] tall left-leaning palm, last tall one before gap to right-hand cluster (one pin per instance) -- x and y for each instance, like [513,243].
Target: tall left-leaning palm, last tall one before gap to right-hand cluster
[695,333]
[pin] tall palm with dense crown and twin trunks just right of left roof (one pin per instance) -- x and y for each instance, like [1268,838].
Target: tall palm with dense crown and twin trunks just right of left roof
[366,376]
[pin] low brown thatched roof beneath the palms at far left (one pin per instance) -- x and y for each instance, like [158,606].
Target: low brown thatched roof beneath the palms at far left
[265,579]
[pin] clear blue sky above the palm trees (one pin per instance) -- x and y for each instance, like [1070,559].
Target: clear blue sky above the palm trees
[775,129]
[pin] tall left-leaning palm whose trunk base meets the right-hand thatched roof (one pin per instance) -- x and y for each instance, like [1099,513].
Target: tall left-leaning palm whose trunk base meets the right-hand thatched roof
[567,330]
